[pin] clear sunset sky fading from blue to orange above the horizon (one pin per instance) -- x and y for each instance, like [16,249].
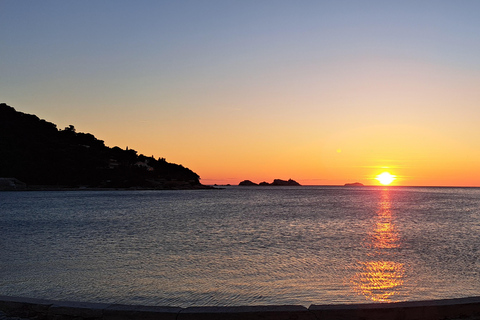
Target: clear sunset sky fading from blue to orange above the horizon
[322,92]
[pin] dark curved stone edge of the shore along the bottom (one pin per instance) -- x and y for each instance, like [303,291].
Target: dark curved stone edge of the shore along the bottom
[464,308]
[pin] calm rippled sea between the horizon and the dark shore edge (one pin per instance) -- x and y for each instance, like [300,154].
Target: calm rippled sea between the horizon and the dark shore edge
[241,245]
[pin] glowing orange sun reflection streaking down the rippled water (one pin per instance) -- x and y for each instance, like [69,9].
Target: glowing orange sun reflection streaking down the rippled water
[380,277]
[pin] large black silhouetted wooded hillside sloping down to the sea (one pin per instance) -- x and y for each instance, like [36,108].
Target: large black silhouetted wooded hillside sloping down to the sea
[37,153]
